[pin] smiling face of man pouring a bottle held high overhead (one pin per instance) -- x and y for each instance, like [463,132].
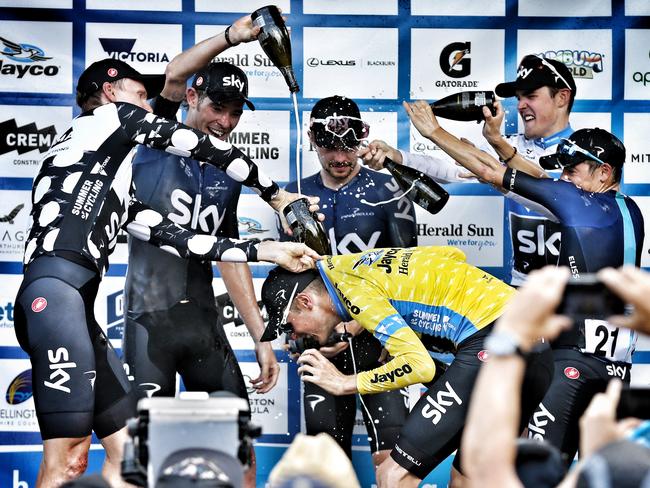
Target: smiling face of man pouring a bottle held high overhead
[217,119]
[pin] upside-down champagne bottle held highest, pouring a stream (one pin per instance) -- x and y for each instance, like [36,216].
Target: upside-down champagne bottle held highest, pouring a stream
[275,42]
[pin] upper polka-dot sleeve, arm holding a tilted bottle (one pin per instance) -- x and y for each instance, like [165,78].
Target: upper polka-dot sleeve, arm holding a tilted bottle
[174,137]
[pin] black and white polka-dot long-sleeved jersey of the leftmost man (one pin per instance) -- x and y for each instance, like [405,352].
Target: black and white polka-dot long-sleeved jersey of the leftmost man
[82,194]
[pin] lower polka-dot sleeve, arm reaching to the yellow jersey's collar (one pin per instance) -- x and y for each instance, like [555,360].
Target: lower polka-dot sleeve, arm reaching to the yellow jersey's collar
[146,224]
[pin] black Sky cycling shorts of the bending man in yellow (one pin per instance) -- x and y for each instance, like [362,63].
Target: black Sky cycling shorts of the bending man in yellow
[435,425]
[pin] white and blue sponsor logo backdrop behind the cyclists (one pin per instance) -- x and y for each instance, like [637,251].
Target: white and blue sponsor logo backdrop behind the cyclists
[379,52]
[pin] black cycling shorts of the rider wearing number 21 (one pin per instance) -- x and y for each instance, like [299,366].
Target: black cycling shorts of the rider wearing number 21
[578,377]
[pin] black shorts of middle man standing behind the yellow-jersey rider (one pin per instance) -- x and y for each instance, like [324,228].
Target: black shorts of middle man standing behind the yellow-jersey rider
[384,413]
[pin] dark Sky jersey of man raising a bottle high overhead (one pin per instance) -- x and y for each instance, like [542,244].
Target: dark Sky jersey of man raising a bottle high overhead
[194,195]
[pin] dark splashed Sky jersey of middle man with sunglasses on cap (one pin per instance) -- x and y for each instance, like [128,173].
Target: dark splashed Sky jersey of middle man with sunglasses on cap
[353,226]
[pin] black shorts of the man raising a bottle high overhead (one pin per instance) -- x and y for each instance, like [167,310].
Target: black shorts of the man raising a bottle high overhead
[186,339]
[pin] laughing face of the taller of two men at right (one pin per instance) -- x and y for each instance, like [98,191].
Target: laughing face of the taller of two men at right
[542,113]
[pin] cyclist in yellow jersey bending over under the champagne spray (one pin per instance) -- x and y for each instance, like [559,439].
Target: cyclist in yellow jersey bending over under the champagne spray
[414,300]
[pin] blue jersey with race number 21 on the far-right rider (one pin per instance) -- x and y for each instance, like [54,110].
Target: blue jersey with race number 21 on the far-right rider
[598,230]
